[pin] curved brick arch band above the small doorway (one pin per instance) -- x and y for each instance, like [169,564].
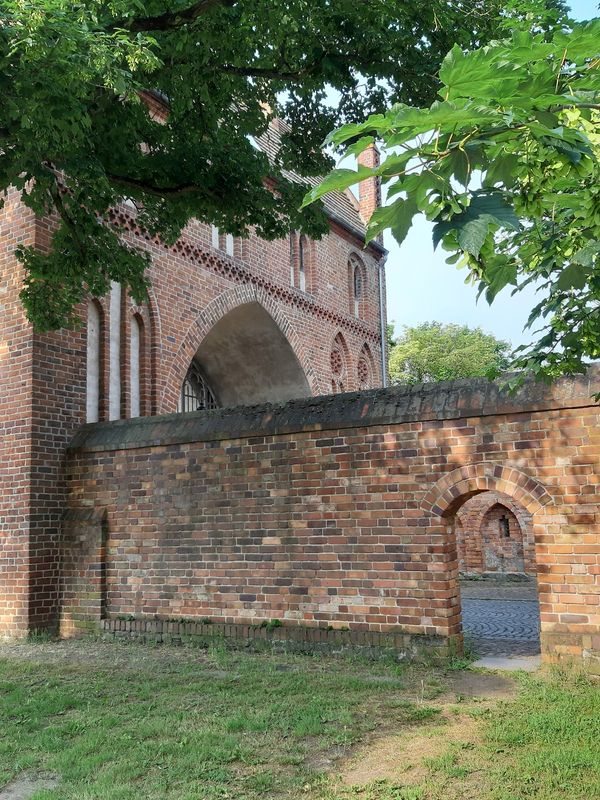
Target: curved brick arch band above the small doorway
[442,499]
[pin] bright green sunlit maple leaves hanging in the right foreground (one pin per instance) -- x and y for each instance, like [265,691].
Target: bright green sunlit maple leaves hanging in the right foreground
[507,165]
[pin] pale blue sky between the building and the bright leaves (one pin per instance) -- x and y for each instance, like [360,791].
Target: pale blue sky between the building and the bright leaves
[421,287]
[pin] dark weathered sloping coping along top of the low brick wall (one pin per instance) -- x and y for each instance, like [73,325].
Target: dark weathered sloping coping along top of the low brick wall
[425,402]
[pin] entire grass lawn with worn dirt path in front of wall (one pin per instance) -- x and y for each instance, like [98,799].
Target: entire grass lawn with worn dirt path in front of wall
[123,721]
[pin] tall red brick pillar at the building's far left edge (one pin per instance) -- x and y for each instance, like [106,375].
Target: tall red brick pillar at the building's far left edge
[42,403]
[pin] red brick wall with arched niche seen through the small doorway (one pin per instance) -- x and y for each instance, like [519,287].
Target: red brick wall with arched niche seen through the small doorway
[482,547]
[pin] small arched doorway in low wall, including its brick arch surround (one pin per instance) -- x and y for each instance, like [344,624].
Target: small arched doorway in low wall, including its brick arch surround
[495,518]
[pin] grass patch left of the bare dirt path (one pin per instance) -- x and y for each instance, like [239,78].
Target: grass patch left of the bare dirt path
[124,721]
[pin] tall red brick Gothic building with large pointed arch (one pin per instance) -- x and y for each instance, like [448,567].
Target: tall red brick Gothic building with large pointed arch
[228,321]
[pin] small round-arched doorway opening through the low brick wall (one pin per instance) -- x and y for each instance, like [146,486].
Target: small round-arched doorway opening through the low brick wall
[497,576]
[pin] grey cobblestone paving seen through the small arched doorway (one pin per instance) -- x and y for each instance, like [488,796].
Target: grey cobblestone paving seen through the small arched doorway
[501,627]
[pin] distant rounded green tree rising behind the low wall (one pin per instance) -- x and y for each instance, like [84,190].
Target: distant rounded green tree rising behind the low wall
[436,352]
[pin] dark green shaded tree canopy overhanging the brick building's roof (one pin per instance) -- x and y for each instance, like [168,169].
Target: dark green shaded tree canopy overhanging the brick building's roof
[77,134]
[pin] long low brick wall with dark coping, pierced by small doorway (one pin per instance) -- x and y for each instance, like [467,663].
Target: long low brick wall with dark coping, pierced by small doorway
[340,511]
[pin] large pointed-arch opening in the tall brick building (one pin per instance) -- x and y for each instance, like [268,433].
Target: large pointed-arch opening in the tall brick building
[244,359]
